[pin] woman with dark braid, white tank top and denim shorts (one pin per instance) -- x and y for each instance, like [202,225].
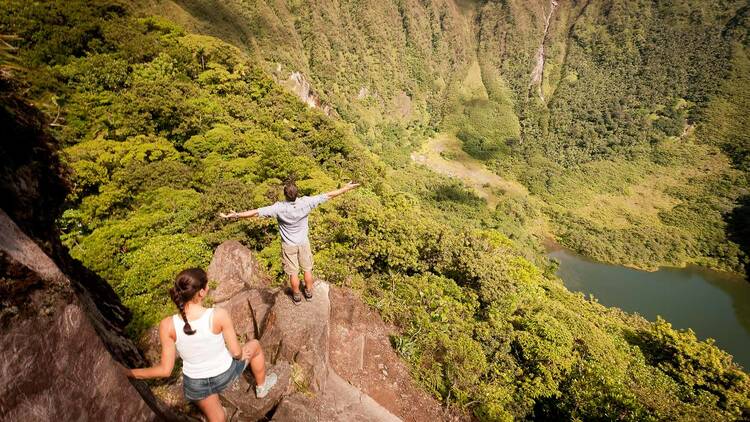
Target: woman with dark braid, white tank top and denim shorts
[212,358]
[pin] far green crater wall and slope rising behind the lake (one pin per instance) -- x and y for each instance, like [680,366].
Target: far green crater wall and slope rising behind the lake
[592,105]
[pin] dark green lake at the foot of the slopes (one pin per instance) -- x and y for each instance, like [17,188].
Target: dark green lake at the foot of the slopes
[712,303]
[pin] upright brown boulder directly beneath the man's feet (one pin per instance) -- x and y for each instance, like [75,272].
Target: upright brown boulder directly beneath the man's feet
[299,334]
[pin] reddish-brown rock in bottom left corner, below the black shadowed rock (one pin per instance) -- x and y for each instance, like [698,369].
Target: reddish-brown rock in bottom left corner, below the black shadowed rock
[55,366]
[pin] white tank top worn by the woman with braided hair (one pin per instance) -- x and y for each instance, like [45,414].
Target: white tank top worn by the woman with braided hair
[204,354]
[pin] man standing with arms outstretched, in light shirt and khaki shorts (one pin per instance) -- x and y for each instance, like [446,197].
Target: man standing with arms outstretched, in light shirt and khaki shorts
[295,245]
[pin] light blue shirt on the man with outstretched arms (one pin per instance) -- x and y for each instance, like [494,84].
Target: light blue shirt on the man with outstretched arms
[292,217]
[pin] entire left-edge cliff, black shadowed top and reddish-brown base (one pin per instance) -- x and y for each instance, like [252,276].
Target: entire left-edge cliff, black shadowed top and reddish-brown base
[60,325]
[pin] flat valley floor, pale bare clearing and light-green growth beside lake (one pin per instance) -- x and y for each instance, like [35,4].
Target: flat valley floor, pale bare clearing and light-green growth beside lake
[592,208]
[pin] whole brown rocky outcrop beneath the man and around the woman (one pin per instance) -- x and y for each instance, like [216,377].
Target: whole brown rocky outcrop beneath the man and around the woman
[332,353]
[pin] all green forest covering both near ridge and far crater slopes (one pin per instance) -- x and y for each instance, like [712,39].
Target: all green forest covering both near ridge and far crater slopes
[162,126]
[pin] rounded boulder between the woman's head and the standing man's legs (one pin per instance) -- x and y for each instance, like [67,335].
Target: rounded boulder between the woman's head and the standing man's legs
[234,269]
